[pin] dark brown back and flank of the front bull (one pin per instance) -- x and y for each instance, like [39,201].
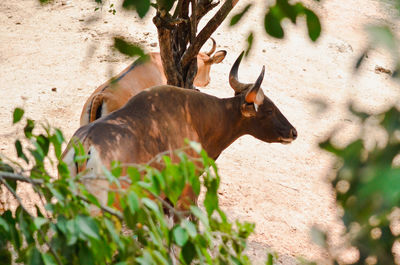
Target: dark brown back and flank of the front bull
[154,121]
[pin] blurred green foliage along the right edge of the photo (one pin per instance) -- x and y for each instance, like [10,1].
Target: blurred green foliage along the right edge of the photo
[368,178]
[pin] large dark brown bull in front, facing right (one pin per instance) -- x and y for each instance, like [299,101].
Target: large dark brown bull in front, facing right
[160,118]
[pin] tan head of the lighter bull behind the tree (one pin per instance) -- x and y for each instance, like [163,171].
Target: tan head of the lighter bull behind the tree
[204,62]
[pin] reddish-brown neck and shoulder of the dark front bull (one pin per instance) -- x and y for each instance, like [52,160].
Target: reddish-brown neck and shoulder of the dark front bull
[218,124]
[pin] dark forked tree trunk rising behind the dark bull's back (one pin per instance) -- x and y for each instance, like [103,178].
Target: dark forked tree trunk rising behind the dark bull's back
[178,38]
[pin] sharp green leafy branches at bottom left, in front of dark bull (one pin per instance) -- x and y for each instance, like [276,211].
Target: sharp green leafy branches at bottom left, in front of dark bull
[138,232]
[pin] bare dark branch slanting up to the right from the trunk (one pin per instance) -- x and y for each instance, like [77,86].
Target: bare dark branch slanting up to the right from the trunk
[206,32]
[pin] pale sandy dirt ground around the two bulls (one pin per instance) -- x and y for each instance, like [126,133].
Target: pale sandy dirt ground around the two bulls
[282,188]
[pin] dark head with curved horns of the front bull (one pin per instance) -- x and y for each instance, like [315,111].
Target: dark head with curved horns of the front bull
[265,121]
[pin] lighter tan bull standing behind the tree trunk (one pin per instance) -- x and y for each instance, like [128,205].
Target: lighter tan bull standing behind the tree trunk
[113,94]
